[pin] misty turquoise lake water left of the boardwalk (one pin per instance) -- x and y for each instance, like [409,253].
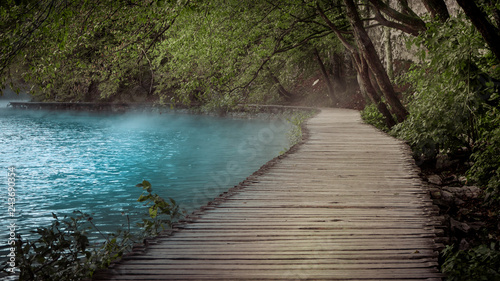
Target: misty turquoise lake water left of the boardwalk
[67,161]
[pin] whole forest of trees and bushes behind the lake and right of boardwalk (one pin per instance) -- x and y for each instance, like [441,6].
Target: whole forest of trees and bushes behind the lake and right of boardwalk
[425,71]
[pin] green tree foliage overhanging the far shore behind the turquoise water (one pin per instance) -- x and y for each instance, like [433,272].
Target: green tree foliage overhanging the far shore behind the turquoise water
[217,54]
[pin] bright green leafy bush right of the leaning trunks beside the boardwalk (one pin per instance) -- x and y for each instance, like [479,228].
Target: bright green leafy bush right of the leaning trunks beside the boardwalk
[444,101]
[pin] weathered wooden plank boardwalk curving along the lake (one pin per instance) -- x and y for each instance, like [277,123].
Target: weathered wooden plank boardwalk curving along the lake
[346,205]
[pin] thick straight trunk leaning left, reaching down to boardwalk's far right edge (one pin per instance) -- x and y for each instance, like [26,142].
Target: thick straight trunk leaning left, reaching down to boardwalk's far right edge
[369,53]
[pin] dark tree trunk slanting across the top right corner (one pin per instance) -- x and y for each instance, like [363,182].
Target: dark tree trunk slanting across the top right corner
[480,20]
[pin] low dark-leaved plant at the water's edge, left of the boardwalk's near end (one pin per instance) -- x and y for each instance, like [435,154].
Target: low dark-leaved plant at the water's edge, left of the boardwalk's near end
[63,250]
